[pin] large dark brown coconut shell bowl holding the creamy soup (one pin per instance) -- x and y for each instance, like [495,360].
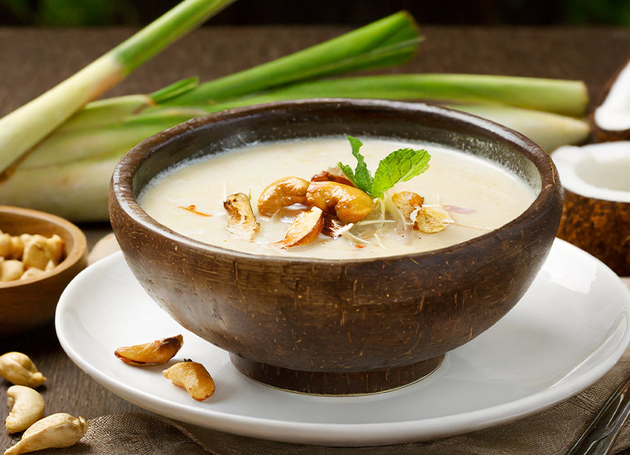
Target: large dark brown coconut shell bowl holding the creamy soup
[336,327]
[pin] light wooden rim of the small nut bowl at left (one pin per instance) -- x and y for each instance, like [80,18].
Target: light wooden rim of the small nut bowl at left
[79,246]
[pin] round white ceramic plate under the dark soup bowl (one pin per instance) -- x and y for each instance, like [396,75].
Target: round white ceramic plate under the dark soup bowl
[569,329]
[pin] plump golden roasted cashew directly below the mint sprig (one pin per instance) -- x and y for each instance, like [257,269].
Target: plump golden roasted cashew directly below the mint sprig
[350,204]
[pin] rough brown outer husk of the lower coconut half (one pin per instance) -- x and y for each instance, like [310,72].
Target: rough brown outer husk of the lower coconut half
[599,227]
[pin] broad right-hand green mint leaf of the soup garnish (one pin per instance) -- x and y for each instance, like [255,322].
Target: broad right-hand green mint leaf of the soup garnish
[398,166]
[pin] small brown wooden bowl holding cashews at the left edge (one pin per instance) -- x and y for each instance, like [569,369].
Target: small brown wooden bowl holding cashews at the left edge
[30,303]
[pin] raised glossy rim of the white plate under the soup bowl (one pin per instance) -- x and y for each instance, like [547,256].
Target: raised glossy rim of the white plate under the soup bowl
[347,434]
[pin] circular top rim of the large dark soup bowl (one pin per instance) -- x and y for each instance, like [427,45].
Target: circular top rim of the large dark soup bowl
[122,179]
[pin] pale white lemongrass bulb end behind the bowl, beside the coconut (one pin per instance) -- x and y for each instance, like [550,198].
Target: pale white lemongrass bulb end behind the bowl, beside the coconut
[549,131]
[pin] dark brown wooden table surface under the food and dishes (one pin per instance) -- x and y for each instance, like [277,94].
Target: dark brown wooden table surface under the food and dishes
[33,60]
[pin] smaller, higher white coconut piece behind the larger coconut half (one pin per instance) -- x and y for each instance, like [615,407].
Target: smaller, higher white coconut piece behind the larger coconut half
[611,119]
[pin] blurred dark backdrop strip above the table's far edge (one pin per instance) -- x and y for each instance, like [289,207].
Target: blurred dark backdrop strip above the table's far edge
[352,12]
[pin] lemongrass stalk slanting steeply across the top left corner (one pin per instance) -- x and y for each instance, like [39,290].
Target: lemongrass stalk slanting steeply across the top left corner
[26,126]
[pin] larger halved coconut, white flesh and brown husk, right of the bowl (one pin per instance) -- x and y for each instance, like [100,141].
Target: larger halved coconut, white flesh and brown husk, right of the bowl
[596,215]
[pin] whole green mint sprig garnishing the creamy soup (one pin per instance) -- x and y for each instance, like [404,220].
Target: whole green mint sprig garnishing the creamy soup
[399,166]
